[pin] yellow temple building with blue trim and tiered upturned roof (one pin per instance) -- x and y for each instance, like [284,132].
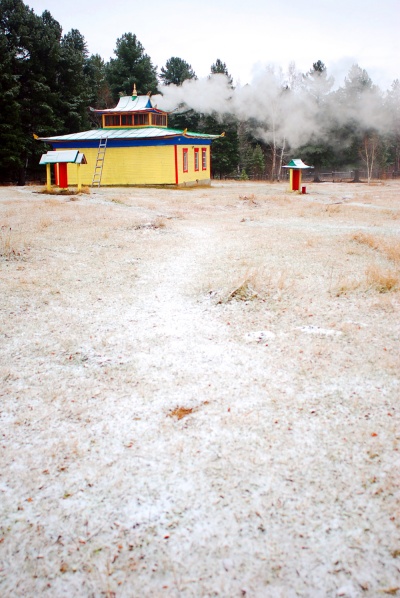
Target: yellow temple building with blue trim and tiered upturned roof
[134,146]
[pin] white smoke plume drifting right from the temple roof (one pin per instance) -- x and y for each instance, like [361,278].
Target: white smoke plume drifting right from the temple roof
[297,109]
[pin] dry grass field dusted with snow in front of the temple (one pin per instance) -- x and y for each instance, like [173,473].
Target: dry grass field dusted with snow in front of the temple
[200,392]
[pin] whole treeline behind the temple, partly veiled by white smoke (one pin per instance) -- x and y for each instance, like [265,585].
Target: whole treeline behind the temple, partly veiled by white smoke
[49,79]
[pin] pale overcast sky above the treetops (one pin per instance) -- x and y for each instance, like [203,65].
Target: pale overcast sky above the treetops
[245,34]
